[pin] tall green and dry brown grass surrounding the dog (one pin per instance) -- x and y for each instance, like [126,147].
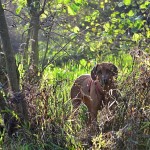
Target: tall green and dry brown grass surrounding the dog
[53,126]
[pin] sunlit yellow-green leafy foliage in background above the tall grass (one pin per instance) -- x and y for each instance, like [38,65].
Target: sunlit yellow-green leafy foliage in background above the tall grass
[81,29]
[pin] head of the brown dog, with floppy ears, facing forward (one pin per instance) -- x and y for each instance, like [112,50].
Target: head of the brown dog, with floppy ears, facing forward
[104,72]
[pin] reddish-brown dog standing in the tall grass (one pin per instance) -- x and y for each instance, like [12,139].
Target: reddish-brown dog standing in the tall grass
[93,90]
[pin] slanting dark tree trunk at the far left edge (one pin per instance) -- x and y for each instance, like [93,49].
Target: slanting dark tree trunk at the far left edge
[17,97]
